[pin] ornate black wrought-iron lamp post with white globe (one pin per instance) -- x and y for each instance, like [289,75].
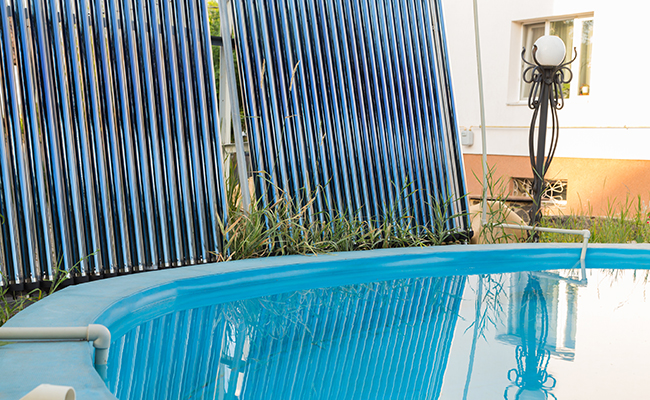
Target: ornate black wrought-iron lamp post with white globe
[546,75]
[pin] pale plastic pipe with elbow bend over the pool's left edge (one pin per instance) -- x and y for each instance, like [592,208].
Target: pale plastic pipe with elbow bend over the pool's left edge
[98,334]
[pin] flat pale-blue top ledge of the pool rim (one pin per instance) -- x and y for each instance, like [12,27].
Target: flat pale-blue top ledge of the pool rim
[66,307]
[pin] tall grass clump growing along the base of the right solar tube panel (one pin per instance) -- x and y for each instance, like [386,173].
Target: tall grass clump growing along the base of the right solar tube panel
[291,226]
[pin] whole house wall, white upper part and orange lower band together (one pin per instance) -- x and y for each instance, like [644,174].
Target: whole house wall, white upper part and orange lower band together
[604,143]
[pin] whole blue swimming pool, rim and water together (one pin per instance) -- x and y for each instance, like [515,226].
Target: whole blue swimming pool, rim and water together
[381,324]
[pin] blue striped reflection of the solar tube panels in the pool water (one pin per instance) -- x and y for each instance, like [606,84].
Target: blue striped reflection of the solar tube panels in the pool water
[386,340]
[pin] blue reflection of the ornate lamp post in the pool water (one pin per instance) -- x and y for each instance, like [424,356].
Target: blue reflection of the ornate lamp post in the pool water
[530,379]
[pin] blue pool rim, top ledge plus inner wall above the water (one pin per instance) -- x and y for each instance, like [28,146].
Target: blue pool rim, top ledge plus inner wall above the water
[114,301]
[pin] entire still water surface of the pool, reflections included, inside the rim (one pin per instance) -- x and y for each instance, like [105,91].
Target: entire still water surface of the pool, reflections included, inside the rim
[518,334]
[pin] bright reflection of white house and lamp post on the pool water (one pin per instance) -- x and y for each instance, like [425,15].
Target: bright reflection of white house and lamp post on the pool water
[551,337]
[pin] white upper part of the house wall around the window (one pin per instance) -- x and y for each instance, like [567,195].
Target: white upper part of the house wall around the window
[612,122]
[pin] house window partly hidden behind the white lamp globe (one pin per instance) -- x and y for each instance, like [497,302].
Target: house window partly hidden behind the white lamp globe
[582,41]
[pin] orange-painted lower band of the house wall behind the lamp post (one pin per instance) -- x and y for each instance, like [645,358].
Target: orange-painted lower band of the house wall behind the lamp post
[593,183]
